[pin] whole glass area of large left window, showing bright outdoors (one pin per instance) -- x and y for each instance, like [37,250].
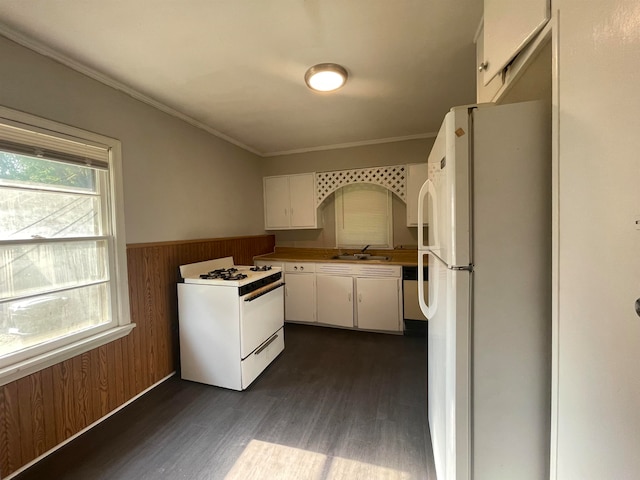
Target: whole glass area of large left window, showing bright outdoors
[53,257]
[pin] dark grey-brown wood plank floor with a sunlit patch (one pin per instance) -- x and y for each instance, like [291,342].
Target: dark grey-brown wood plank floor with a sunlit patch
[336,404]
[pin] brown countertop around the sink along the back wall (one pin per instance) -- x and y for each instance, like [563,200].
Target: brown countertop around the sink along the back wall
[408,257]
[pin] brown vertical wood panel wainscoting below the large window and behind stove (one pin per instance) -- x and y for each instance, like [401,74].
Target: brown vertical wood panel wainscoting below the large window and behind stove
[43,410]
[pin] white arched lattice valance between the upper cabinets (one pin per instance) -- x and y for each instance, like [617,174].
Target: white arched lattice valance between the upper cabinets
[392,178]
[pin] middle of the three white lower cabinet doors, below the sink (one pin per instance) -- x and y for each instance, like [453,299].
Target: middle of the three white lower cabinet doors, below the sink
[335,300]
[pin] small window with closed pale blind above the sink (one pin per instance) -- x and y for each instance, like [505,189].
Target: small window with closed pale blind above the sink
[364,216]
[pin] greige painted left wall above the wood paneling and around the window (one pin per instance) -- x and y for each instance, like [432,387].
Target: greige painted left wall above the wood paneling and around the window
[180,182]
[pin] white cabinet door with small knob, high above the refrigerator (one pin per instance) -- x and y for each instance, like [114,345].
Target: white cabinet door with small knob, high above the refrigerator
[508,27]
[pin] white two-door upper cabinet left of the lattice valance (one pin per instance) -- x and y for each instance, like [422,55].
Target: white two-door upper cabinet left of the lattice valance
[289,202]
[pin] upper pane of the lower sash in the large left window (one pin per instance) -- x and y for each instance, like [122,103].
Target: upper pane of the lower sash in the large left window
[31,269]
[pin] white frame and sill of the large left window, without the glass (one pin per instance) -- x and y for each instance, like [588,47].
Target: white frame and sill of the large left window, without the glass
[17,365]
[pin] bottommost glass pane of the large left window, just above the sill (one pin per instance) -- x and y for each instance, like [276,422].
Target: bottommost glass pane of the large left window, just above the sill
[28,322]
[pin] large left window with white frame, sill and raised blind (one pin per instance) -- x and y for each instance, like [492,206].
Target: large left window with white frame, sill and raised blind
[63,287]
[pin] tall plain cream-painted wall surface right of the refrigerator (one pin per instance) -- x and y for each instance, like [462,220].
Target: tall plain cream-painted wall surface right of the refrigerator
[596,242]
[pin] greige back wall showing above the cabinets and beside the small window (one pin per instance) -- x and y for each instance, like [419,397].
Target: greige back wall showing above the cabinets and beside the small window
[395,153]
